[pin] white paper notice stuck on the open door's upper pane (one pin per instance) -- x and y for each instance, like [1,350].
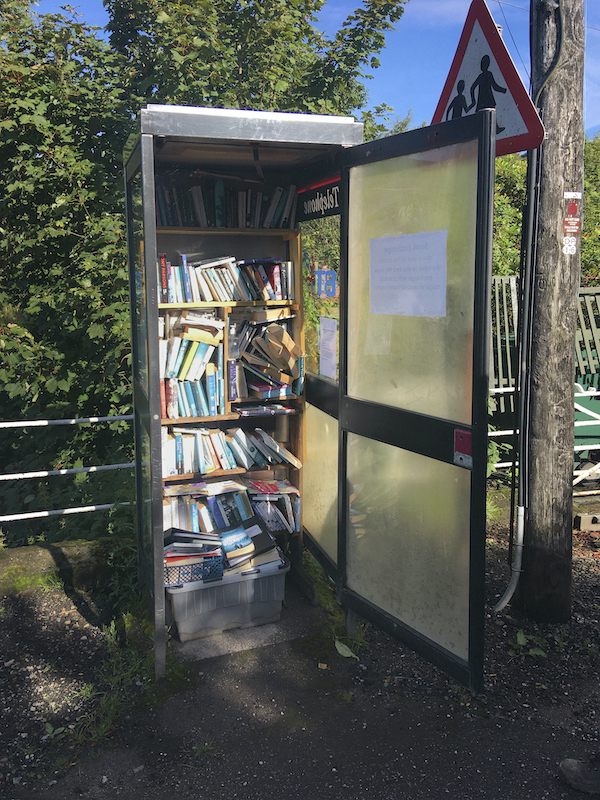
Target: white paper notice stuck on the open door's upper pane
[408,274]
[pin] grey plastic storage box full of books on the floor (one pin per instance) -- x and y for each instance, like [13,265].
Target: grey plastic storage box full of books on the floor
[242,600]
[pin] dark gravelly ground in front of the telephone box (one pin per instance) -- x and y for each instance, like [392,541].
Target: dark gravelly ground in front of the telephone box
[296,719]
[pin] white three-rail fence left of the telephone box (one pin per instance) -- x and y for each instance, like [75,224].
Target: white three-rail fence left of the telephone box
[17,476]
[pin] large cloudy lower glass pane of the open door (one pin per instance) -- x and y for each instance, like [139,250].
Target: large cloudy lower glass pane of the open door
[408,539]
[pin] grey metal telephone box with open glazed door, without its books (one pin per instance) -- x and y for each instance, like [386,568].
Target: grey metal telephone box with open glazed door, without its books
[394,319]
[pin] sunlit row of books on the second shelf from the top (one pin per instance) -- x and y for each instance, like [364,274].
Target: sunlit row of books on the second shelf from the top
[224,280]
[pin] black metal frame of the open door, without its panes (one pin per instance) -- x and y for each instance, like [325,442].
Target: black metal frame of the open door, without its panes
[428,436]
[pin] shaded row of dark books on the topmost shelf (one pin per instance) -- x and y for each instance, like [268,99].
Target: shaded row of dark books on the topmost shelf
[206,201]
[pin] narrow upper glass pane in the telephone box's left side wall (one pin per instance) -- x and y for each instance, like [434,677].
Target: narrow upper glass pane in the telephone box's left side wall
[136,253]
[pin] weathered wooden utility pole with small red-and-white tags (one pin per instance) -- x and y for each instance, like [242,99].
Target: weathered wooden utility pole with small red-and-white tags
[557,56]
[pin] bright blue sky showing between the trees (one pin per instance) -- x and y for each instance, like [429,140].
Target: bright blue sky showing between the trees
[419,52]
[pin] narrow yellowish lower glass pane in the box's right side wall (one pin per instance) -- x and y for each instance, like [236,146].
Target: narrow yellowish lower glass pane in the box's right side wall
[320,480]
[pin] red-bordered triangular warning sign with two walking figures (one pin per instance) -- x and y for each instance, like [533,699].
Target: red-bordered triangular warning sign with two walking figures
[483,75]
